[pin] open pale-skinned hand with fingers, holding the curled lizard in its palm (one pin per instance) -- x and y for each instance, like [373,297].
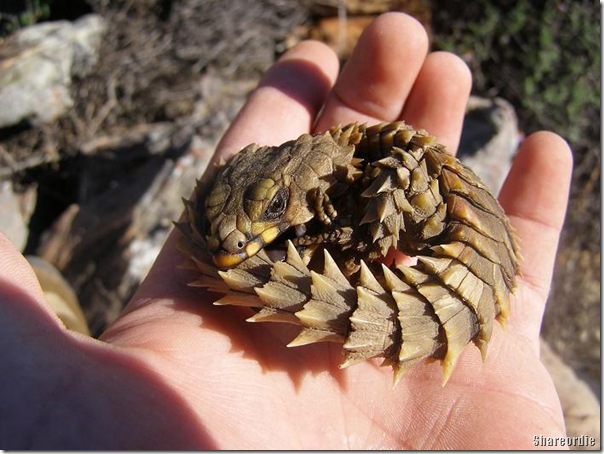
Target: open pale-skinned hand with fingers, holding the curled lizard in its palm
[174,371]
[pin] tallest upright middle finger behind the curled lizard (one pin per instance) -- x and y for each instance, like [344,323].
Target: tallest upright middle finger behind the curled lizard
[379,75]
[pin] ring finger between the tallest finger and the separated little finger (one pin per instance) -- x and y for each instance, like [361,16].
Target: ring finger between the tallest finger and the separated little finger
[438,99]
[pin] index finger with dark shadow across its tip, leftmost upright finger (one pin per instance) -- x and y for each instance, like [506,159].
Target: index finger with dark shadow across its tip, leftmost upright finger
[286,101]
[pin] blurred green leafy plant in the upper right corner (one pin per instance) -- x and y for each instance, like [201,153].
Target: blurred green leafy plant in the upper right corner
[544,56]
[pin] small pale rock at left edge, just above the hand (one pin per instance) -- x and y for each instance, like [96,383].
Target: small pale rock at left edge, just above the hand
[15,211]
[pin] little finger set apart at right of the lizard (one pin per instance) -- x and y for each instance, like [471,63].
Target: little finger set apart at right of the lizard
[535,197]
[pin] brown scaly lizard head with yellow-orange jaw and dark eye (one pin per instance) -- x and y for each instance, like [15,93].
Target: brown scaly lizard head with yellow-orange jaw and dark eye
[251,203]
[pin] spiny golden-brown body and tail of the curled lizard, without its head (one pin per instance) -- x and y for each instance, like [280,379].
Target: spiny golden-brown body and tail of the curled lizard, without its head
[407,193]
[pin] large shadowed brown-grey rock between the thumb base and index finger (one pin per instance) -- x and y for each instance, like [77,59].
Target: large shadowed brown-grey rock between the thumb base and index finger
[130,184]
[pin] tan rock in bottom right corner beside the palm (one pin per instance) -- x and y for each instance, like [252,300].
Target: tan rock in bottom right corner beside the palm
[580,405]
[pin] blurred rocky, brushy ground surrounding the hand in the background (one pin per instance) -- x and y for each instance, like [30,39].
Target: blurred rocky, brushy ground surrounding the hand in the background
[110,110]
